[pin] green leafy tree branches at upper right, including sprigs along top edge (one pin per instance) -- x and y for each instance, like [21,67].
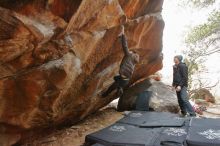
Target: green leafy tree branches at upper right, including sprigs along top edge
[205,36]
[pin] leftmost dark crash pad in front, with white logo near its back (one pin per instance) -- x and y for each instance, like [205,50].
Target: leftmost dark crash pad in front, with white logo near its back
[124,135]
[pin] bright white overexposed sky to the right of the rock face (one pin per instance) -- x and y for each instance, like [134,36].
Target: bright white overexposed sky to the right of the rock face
[178,20]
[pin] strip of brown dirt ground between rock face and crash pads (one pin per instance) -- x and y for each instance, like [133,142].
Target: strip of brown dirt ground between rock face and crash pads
[75,135]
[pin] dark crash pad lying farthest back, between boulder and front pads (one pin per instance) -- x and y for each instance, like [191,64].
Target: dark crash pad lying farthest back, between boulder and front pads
[152,119]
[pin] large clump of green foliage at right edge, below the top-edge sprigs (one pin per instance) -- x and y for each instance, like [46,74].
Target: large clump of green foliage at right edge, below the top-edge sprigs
[206,36]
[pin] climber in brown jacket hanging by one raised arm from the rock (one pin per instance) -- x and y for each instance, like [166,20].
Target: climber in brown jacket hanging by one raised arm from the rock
[126,70]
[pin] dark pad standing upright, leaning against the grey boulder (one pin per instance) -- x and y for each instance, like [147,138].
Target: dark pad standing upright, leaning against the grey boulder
[142,101]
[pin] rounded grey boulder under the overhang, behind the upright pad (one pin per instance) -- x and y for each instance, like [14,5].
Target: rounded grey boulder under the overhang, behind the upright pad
[162,99]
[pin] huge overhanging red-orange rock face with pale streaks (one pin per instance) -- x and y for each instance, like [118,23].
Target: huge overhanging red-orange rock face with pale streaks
[56,57]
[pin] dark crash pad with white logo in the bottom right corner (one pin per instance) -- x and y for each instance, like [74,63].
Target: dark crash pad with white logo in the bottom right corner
[204,132]
